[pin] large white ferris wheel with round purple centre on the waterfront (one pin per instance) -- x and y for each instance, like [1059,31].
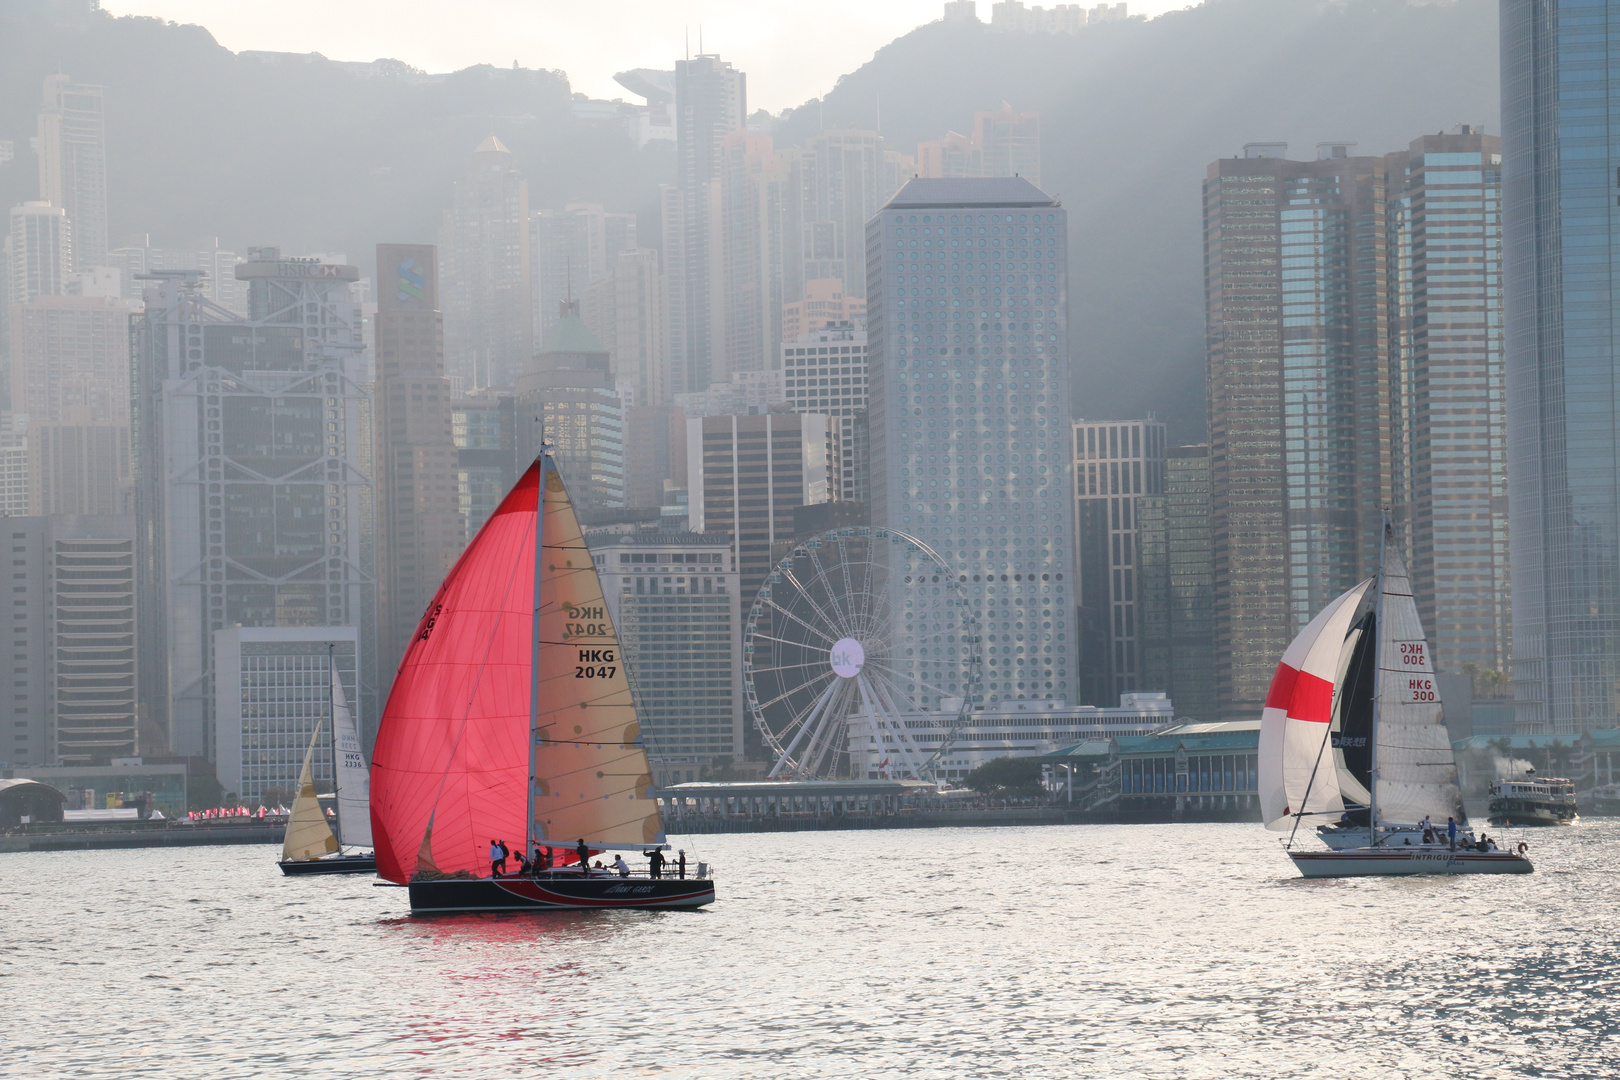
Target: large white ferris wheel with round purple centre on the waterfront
[855,634]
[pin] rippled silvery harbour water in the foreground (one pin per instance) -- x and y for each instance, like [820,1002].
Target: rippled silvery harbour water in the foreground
[1086,951]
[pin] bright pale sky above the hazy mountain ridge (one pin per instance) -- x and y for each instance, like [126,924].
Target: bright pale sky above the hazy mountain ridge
[791,49]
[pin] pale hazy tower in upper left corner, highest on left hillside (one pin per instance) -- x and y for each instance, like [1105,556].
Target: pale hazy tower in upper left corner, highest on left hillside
[74,163]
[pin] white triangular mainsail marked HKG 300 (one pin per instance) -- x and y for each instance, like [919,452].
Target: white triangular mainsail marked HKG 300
[1415,768]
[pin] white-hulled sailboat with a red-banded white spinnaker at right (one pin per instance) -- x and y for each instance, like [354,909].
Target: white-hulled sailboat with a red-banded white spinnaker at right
[1354,742]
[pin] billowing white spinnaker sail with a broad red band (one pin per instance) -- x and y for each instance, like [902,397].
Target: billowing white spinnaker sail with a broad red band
[1297,772]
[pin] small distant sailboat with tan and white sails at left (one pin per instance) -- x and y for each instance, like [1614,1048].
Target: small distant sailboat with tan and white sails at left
[312,846]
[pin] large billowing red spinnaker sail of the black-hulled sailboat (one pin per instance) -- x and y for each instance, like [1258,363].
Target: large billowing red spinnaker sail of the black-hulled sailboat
[451,744]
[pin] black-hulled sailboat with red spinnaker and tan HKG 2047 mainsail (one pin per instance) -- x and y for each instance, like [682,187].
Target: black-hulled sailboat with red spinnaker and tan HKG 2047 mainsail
[511,725]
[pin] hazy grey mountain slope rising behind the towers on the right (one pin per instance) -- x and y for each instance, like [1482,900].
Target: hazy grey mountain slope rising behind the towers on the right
[1133,114]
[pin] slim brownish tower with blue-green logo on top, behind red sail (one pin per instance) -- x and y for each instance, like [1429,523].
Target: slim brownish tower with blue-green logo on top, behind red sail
[420,529]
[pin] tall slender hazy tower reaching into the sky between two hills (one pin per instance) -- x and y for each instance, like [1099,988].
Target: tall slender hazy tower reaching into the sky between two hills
[712,103]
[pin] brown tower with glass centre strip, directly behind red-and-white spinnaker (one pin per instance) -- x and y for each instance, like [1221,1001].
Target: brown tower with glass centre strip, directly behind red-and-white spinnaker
[1300,401]
